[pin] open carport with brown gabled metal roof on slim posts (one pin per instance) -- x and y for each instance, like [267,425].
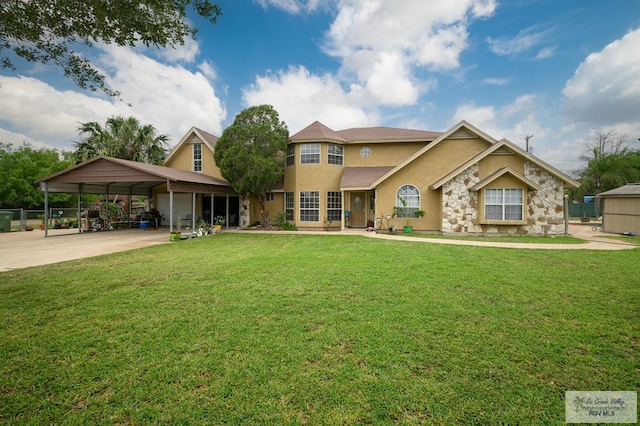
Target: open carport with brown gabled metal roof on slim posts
[107,175]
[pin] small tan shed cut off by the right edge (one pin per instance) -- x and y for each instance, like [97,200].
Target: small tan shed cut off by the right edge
[621,209]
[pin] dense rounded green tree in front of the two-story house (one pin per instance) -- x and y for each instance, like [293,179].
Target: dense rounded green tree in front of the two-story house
[251,153]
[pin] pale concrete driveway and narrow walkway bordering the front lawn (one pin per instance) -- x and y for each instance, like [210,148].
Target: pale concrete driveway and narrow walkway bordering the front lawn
[25,249]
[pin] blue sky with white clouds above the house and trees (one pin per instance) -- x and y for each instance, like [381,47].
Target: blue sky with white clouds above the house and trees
[562,70]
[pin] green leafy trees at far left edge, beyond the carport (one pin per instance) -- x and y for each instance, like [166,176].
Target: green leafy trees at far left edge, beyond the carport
[21,167]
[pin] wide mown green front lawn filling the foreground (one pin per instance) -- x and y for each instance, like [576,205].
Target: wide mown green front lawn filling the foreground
[295,329]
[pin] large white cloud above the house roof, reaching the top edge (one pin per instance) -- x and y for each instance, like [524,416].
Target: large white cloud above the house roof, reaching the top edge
[381,48]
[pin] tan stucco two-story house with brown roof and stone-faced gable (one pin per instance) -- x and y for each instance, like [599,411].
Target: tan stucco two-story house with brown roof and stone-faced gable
[463,179]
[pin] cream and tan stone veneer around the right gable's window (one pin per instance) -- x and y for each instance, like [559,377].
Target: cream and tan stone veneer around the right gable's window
[543,210]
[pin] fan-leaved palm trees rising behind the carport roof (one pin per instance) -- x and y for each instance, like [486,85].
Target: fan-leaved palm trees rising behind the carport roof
[121,138]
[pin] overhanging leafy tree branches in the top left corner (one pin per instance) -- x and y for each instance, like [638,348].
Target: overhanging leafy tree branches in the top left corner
[49,31]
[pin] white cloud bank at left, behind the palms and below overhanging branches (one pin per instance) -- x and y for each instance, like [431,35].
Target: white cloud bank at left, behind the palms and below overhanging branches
[171,98]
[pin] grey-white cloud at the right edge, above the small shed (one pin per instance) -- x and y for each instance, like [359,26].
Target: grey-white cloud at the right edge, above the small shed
[605,89]
